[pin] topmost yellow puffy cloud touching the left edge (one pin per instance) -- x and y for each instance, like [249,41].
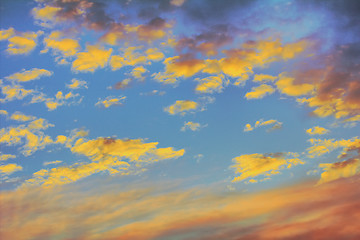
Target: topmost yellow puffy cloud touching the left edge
[19,42]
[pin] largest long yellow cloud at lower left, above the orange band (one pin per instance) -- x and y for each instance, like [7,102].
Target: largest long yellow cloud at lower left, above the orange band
[106,154]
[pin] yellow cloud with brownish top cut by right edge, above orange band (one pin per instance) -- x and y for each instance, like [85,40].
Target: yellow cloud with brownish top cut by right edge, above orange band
[333,171]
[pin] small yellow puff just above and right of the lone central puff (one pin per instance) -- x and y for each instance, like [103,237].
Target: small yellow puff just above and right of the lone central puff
[211,84]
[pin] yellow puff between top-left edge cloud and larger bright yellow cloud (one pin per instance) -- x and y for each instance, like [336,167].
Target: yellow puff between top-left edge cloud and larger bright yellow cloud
[66,47]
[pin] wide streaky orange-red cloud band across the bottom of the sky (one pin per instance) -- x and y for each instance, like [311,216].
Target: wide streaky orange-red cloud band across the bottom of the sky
[115,211]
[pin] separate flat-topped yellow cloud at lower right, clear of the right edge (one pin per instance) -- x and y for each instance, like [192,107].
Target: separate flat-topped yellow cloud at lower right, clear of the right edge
[254,165]
